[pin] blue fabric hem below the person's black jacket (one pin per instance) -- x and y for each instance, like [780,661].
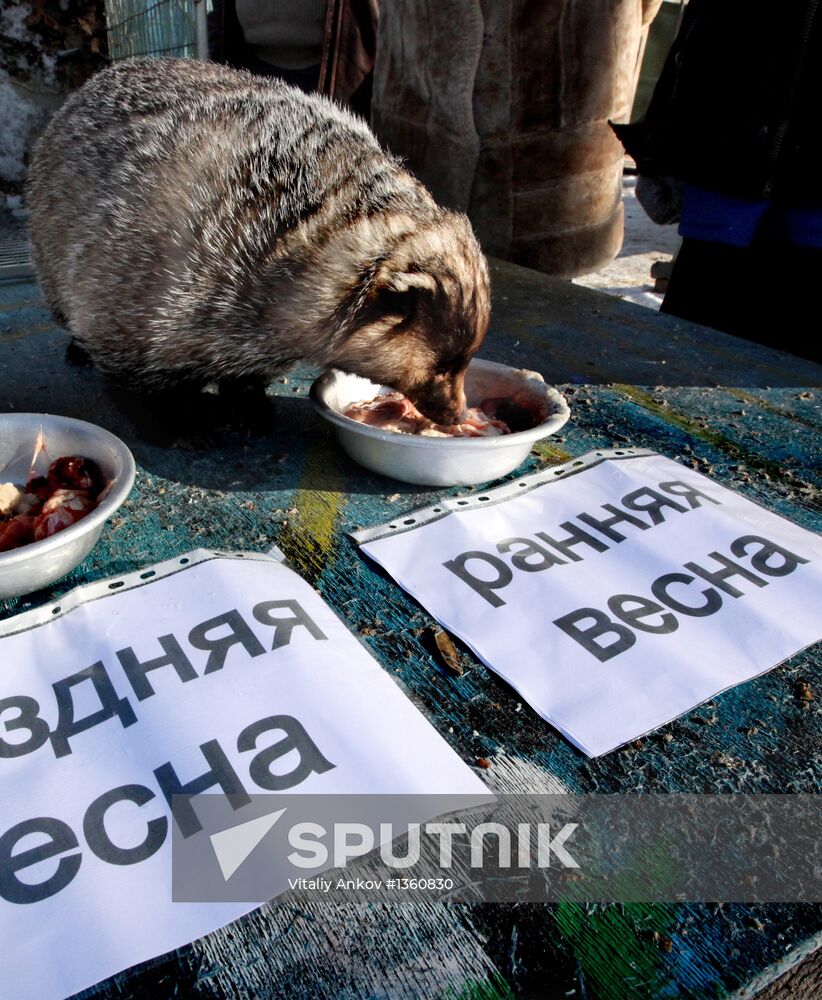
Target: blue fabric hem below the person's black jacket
[719,218]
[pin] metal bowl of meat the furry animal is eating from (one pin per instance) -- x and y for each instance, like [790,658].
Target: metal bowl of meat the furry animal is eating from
[435,461]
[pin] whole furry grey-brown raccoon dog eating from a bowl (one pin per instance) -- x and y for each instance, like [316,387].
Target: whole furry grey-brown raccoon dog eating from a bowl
[194,224]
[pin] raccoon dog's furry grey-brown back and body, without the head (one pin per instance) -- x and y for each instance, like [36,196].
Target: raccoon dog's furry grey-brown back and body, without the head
[165,194]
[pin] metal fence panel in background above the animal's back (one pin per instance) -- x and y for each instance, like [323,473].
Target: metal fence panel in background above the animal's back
[164,27]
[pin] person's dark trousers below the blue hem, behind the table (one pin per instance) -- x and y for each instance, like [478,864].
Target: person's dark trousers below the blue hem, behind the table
[768,292]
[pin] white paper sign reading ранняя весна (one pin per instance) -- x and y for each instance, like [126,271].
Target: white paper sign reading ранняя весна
[614,593]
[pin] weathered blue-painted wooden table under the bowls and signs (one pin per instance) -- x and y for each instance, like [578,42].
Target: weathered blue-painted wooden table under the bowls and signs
[746,415]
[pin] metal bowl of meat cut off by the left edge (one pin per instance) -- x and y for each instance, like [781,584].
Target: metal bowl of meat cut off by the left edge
[40,563]
